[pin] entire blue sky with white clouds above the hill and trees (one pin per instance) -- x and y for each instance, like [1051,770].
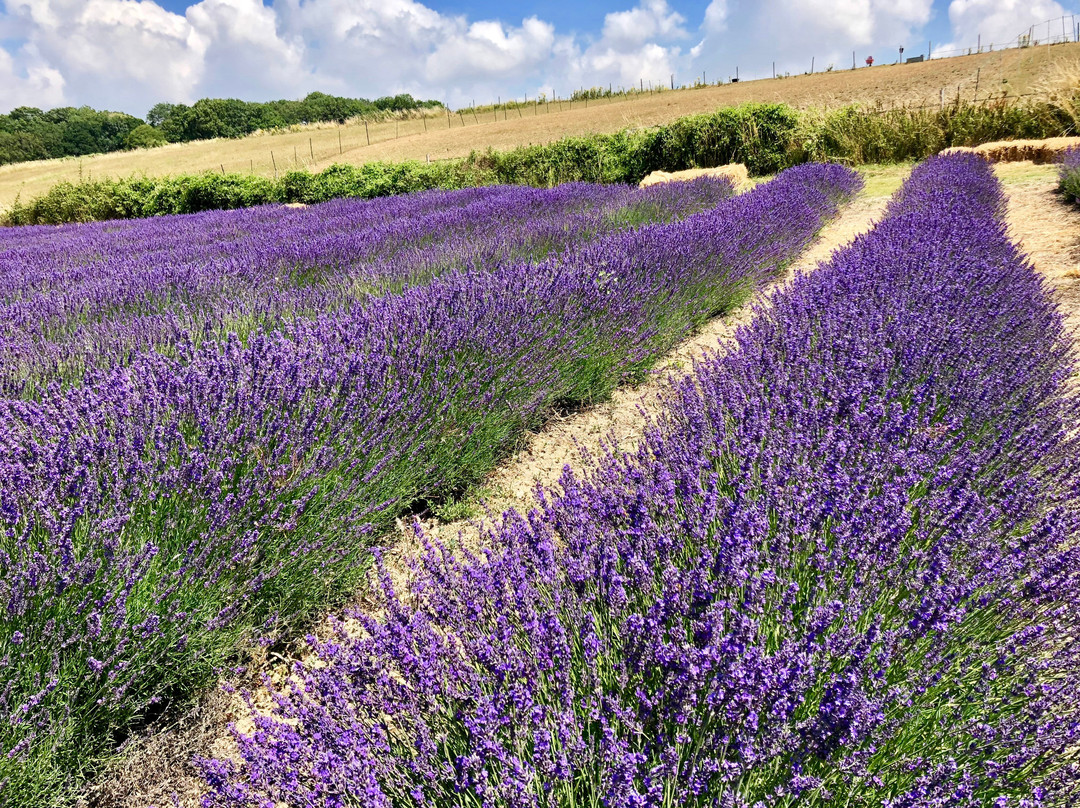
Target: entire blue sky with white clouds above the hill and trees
[130,55]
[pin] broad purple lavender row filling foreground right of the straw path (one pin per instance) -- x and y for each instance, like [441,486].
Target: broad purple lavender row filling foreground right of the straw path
[842,571]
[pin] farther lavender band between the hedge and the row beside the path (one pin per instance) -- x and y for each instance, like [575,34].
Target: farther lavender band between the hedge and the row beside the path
[84,299]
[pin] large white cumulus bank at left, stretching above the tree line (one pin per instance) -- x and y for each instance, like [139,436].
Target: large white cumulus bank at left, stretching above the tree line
[130,55]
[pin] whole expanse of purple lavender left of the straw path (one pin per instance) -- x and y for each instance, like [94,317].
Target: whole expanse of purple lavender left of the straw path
[208,422]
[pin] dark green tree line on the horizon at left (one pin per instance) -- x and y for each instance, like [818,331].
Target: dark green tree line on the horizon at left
[29,133]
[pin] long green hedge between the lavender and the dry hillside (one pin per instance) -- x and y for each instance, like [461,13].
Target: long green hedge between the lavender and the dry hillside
[767,138]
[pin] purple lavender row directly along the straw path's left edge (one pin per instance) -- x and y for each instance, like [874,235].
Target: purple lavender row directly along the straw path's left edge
[158,517]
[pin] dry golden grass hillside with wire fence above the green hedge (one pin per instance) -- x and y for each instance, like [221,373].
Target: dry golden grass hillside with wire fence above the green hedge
[1002,73]
